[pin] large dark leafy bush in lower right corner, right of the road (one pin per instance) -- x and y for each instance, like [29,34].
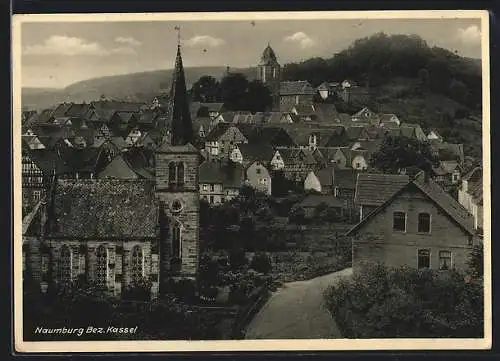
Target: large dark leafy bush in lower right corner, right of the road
[382,302]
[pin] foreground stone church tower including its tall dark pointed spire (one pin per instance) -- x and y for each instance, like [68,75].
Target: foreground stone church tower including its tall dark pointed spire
[177,190]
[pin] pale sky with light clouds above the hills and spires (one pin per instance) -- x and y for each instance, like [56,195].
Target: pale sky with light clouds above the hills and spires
[57,54]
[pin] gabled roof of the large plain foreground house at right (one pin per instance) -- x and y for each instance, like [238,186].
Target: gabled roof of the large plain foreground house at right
[437,195]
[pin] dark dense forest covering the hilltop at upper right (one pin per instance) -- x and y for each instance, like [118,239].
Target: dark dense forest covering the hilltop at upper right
[374,61]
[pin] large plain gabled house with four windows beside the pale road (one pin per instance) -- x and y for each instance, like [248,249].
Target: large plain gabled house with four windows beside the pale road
[419,227]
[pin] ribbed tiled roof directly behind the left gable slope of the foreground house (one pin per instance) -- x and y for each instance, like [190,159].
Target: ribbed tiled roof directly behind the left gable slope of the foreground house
[375,189]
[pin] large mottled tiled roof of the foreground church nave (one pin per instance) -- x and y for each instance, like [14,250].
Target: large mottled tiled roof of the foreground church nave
[104,208]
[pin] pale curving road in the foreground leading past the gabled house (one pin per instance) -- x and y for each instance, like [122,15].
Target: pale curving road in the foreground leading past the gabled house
[296,311]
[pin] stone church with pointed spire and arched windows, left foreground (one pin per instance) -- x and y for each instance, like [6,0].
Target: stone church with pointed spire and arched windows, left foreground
[117,233]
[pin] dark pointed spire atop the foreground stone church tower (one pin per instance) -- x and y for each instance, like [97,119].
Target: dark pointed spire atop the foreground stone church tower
[180,115]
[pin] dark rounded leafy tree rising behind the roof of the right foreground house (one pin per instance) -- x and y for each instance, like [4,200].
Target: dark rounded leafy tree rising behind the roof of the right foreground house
[397,153]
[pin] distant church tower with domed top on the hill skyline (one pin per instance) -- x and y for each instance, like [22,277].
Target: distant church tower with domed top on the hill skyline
[268,72]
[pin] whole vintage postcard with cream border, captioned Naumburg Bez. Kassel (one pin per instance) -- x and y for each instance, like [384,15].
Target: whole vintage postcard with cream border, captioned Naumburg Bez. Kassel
[255,181]
